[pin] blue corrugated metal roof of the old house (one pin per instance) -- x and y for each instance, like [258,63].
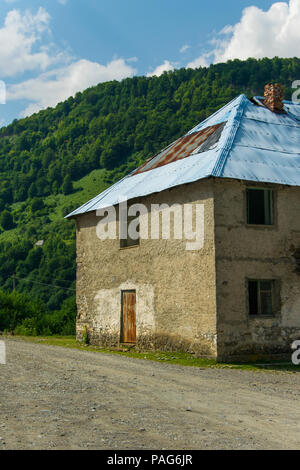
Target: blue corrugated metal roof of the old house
[255,145]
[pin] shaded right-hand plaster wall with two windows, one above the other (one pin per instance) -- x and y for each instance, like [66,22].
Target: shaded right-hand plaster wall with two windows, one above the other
[257,253]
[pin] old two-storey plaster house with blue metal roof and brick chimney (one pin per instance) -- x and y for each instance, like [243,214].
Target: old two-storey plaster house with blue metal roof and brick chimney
[235,292]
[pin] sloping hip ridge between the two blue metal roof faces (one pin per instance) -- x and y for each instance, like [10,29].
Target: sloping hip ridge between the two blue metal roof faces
[231,127]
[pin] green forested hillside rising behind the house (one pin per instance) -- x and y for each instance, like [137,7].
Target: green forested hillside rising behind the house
[59,158]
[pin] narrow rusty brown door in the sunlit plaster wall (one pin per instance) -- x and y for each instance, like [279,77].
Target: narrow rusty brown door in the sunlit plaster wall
[128,317]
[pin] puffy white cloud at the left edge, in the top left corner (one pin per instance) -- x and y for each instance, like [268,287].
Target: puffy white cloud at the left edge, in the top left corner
[19,37]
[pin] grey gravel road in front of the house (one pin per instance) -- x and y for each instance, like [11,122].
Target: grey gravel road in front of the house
[57,398]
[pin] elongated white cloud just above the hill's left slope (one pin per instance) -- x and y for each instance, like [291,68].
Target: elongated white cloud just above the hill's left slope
[57,85]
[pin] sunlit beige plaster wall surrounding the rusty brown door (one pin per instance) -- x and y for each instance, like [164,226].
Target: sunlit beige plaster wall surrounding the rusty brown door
[176,298]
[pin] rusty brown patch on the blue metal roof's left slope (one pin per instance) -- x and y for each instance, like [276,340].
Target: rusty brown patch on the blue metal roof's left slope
[184,147]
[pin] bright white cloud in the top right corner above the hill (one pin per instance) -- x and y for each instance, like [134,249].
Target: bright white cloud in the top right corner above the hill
[258,34]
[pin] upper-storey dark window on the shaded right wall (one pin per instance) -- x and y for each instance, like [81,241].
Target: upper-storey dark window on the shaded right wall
[260,207]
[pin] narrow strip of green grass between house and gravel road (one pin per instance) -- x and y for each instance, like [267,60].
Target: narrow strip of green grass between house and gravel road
[179,358]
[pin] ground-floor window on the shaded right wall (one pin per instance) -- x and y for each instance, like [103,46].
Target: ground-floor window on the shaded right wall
[261,298]
